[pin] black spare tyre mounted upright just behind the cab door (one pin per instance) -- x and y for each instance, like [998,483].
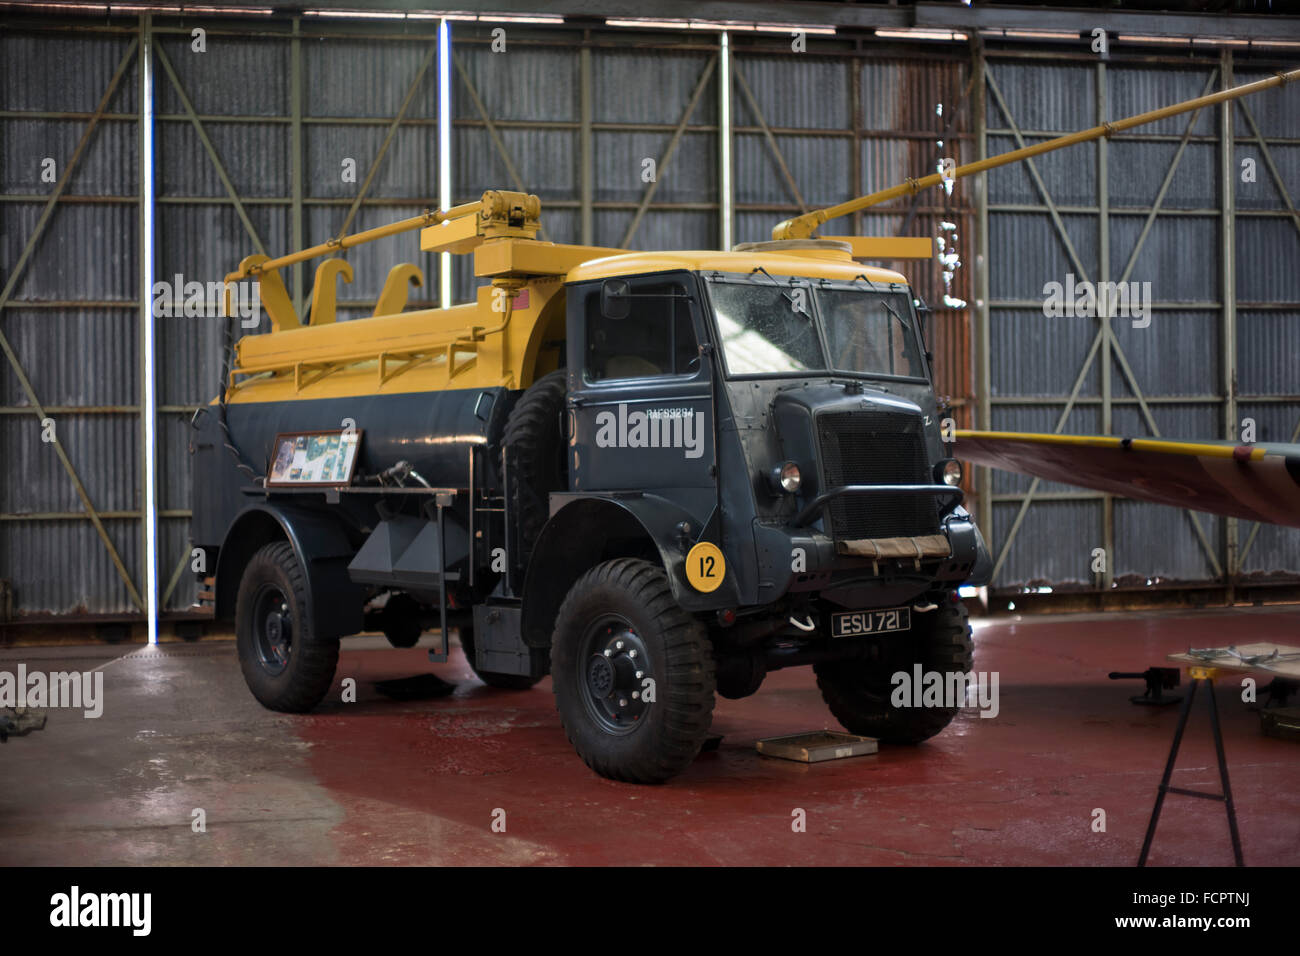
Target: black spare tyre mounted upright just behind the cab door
[535,434]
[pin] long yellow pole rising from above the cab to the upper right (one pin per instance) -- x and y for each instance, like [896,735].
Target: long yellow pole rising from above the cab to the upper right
[804,227]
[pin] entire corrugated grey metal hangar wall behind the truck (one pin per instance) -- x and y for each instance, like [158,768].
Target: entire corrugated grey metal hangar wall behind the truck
[252,142]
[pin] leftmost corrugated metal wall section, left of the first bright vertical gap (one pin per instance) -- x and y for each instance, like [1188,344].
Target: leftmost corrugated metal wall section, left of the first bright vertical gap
[72,323]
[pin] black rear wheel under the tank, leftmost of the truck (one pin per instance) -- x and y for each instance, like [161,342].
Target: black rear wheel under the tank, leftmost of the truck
[285,665]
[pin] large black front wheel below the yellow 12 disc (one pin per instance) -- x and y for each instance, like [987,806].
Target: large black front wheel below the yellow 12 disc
[619,626]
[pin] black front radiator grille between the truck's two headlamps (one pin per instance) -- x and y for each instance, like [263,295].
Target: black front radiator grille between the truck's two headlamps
[877,448]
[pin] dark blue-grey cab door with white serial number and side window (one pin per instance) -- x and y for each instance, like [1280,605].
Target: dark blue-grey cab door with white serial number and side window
[642,393]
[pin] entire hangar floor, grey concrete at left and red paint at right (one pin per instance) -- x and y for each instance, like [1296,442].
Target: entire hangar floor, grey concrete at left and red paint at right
[385,782]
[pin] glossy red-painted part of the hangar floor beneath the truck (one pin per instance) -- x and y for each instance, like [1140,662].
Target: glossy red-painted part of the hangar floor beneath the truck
[421,784]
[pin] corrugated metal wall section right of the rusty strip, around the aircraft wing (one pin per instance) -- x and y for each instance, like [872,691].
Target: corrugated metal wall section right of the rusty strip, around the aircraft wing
[1171,379]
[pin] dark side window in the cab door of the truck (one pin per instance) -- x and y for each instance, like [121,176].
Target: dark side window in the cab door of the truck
[657,339]
